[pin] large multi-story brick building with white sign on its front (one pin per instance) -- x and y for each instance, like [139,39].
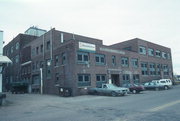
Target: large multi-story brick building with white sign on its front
[60,59]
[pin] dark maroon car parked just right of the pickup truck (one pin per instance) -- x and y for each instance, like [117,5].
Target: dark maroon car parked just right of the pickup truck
[134,88]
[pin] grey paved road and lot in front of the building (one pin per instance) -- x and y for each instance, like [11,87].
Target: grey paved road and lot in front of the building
[147,106]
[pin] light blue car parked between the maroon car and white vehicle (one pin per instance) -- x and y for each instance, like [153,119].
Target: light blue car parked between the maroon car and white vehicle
[152,86]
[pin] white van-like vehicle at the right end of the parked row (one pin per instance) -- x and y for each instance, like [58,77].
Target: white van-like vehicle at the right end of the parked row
[167,83]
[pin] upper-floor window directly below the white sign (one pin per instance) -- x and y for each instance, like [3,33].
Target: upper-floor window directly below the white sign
[82,57]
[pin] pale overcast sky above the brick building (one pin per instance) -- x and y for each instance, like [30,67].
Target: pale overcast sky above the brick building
[112,21]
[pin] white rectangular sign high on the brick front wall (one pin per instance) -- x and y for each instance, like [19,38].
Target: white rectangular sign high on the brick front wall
[87,46]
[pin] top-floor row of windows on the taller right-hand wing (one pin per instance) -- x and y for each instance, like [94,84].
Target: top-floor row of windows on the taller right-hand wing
[152,52]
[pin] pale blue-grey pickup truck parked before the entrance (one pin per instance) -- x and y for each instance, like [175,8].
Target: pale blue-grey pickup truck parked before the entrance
[109,89]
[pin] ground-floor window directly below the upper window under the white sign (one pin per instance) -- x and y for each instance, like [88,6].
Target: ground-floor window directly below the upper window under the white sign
[84,80]
